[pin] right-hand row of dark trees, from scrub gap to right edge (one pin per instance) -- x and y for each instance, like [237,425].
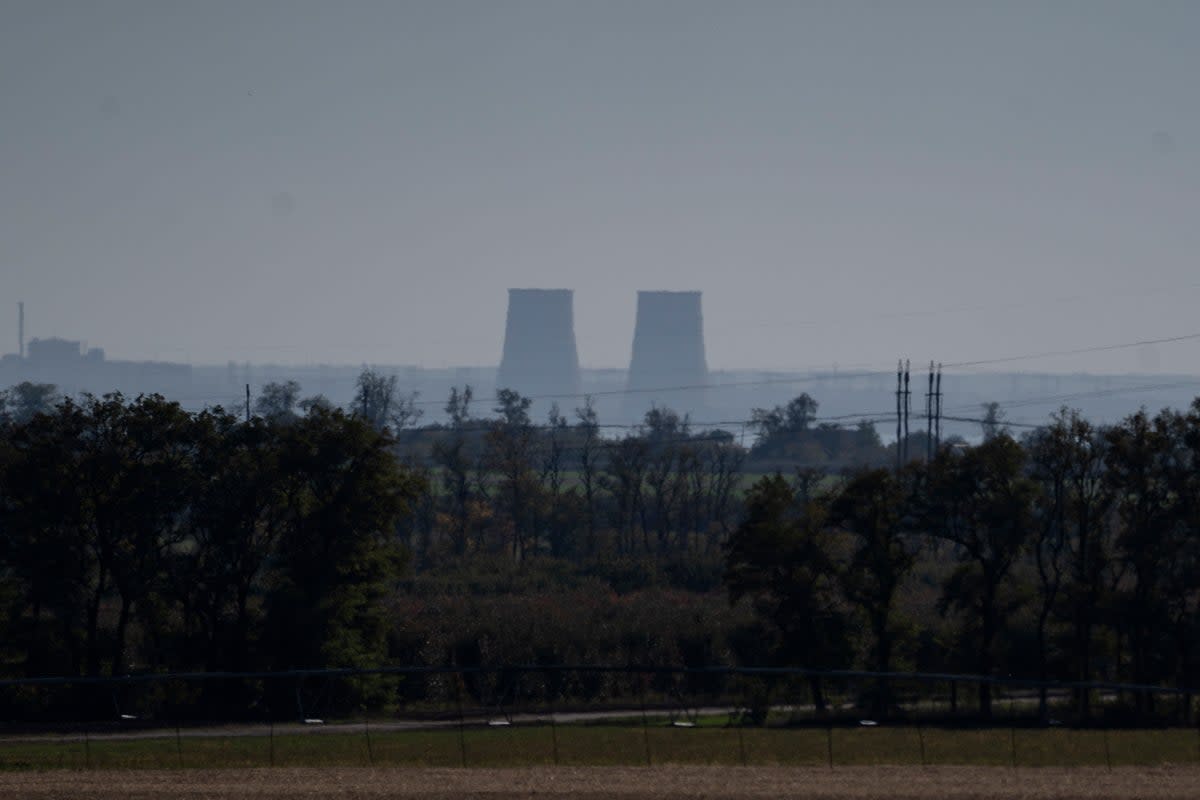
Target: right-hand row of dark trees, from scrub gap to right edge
[1069,555]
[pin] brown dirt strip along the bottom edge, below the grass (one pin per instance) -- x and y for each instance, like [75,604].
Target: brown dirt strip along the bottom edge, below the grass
[629,784]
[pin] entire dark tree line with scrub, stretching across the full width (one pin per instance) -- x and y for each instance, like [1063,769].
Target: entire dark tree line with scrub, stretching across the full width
[137,536]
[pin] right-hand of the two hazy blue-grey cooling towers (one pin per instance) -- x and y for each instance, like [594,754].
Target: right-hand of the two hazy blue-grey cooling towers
[669,352]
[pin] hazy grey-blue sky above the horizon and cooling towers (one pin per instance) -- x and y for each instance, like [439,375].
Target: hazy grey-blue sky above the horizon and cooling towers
[362,182]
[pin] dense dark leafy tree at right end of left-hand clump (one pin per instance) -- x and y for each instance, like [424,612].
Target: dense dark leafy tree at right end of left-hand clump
[338,556]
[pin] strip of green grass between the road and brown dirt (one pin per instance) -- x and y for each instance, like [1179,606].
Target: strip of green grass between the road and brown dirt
[535,745]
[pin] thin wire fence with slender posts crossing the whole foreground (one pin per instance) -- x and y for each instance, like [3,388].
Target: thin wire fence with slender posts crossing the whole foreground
[536,715]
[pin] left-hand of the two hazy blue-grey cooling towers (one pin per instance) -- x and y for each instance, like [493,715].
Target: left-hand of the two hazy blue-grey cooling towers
[539,345]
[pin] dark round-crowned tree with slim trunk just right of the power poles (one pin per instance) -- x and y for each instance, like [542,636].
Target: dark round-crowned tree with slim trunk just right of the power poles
[981,502]
